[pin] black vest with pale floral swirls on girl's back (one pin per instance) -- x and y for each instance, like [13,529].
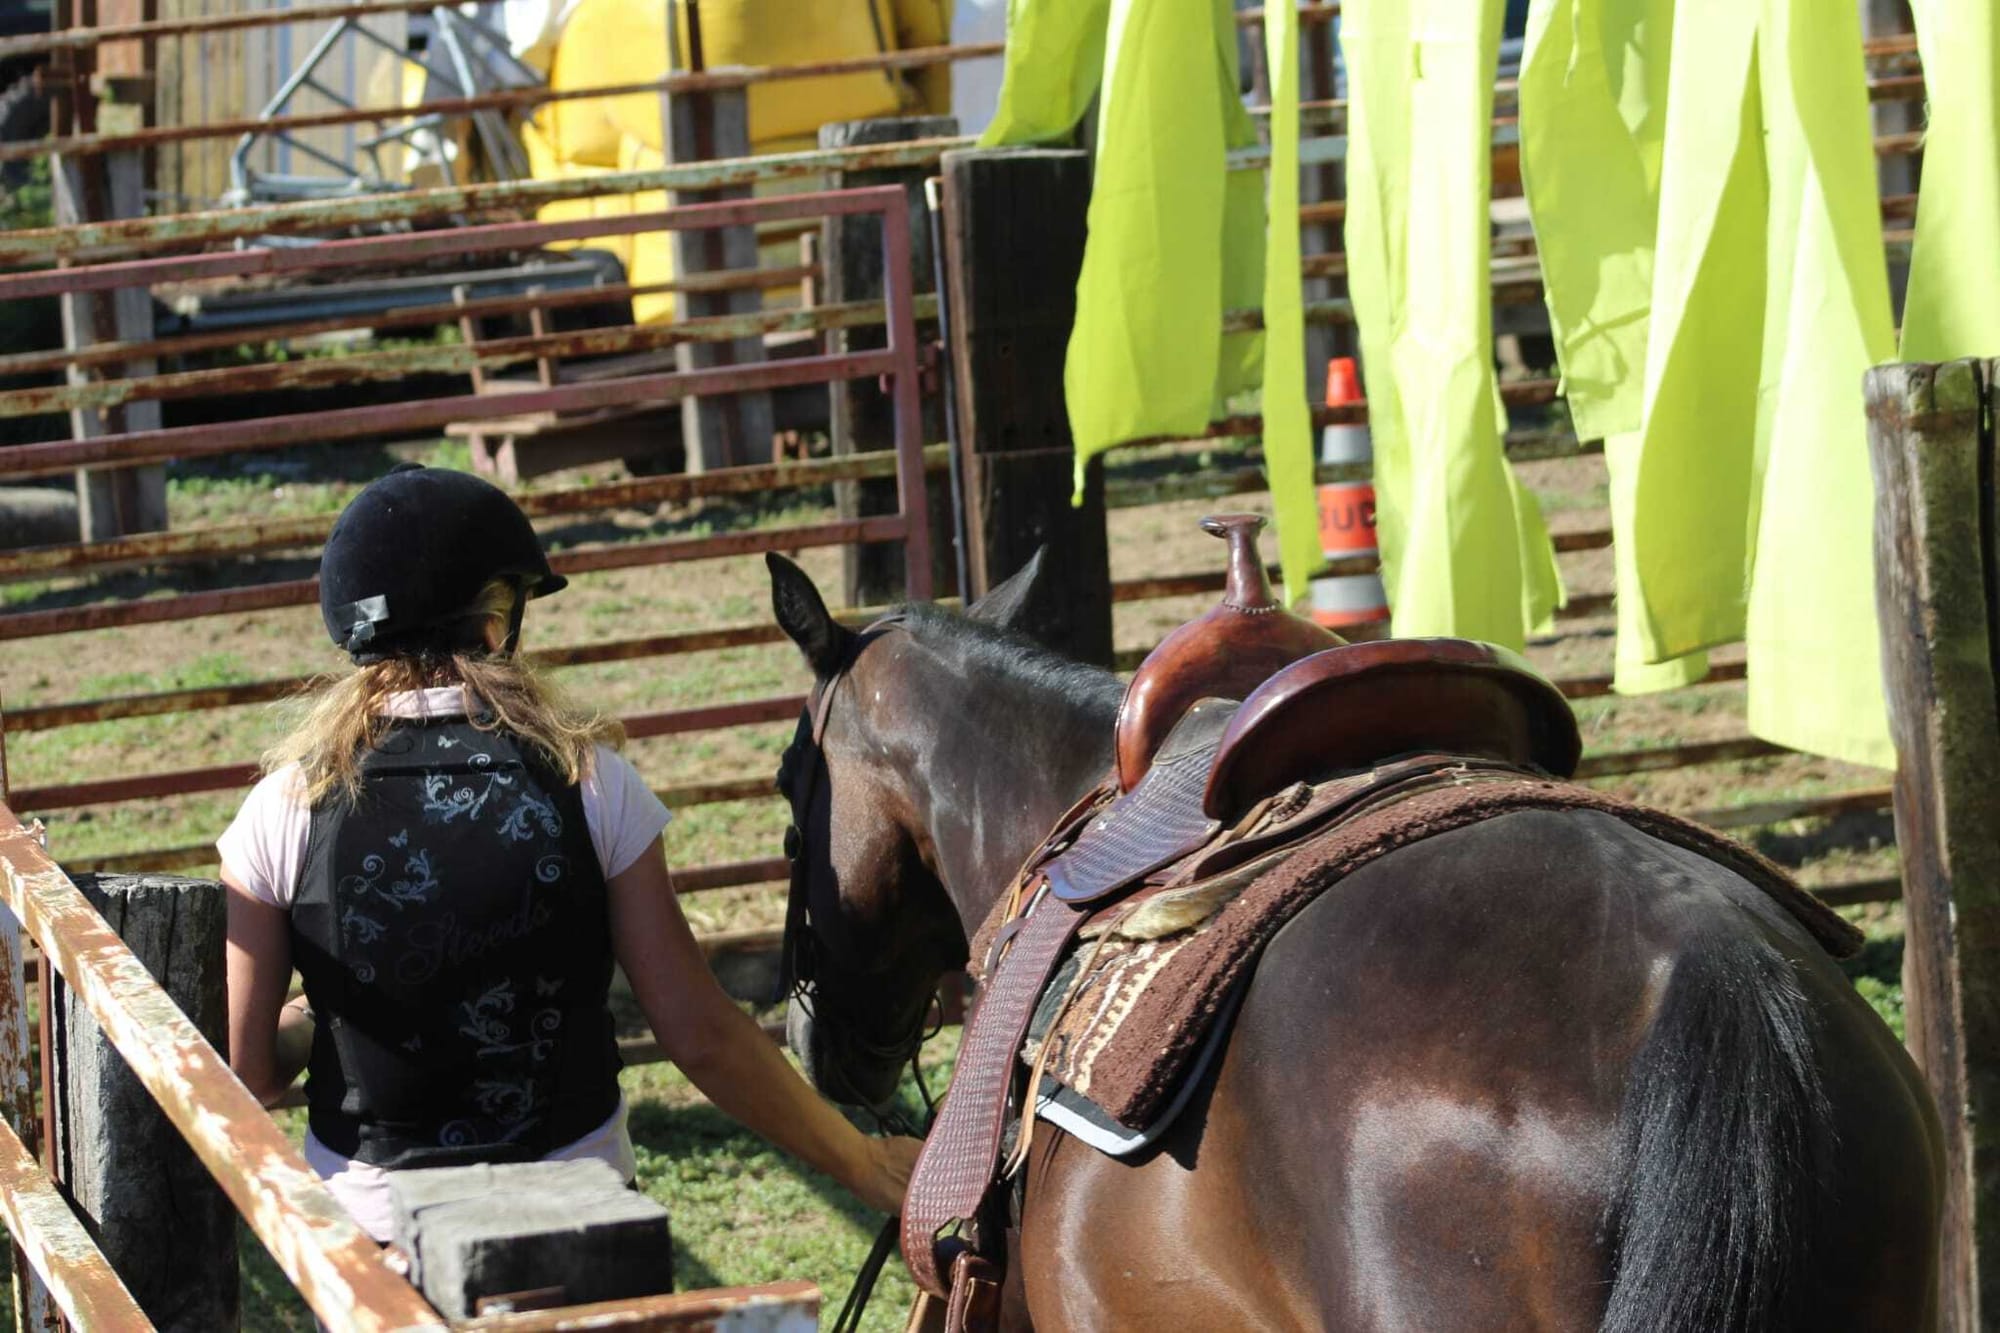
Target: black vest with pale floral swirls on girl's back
[455,942]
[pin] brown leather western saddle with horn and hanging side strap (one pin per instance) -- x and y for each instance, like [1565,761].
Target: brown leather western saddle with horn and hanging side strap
[1201,784]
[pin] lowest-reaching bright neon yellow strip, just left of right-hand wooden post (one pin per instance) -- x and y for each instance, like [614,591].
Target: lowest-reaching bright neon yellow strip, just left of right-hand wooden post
[1815,651]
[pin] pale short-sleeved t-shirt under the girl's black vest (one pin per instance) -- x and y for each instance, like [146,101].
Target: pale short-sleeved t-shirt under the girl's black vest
[265,850]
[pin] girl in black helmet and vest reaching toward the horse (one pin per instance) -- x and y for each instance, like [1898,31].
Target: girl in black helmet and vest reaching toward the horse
[453,862]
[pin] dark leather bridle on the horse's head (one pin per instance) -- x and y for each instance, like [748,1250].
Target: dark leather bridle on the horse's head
[801,958]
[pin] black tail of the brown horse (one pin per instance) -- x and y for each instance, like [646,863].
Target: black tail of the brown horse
[1723,1124]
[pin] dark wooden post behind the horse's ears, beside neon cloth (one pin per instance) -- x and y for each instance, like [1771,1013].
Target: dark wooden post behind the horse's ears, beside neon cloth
[1013,249]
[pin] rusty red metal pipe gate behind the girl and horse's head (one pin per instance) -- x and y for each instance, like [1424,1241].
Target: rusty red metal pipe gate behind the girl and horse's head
[897,313]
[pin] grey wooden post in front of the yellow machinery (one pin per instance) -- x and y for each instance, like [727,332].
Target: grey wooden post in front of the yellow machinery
[735,429]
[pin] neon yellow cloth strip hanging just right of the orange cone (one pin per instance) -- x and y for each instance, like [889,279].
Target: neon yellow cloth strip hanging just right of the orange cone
[1463,543]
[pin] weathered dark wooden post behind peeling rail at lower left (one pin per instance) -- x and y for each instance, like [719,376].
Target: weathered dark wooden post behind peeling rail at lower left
[163,1222]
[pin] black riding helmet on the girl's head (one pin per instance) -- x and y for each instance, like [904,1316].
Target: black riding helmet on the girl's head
[409,555]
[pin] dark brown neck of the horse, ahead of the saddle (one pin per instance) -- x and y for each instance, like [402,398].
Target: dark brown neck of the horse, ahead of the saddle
[1007,762]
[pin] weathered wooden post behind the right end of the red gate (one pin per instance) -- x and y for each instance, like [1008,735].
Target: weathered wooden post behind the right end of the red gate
[863,415]
